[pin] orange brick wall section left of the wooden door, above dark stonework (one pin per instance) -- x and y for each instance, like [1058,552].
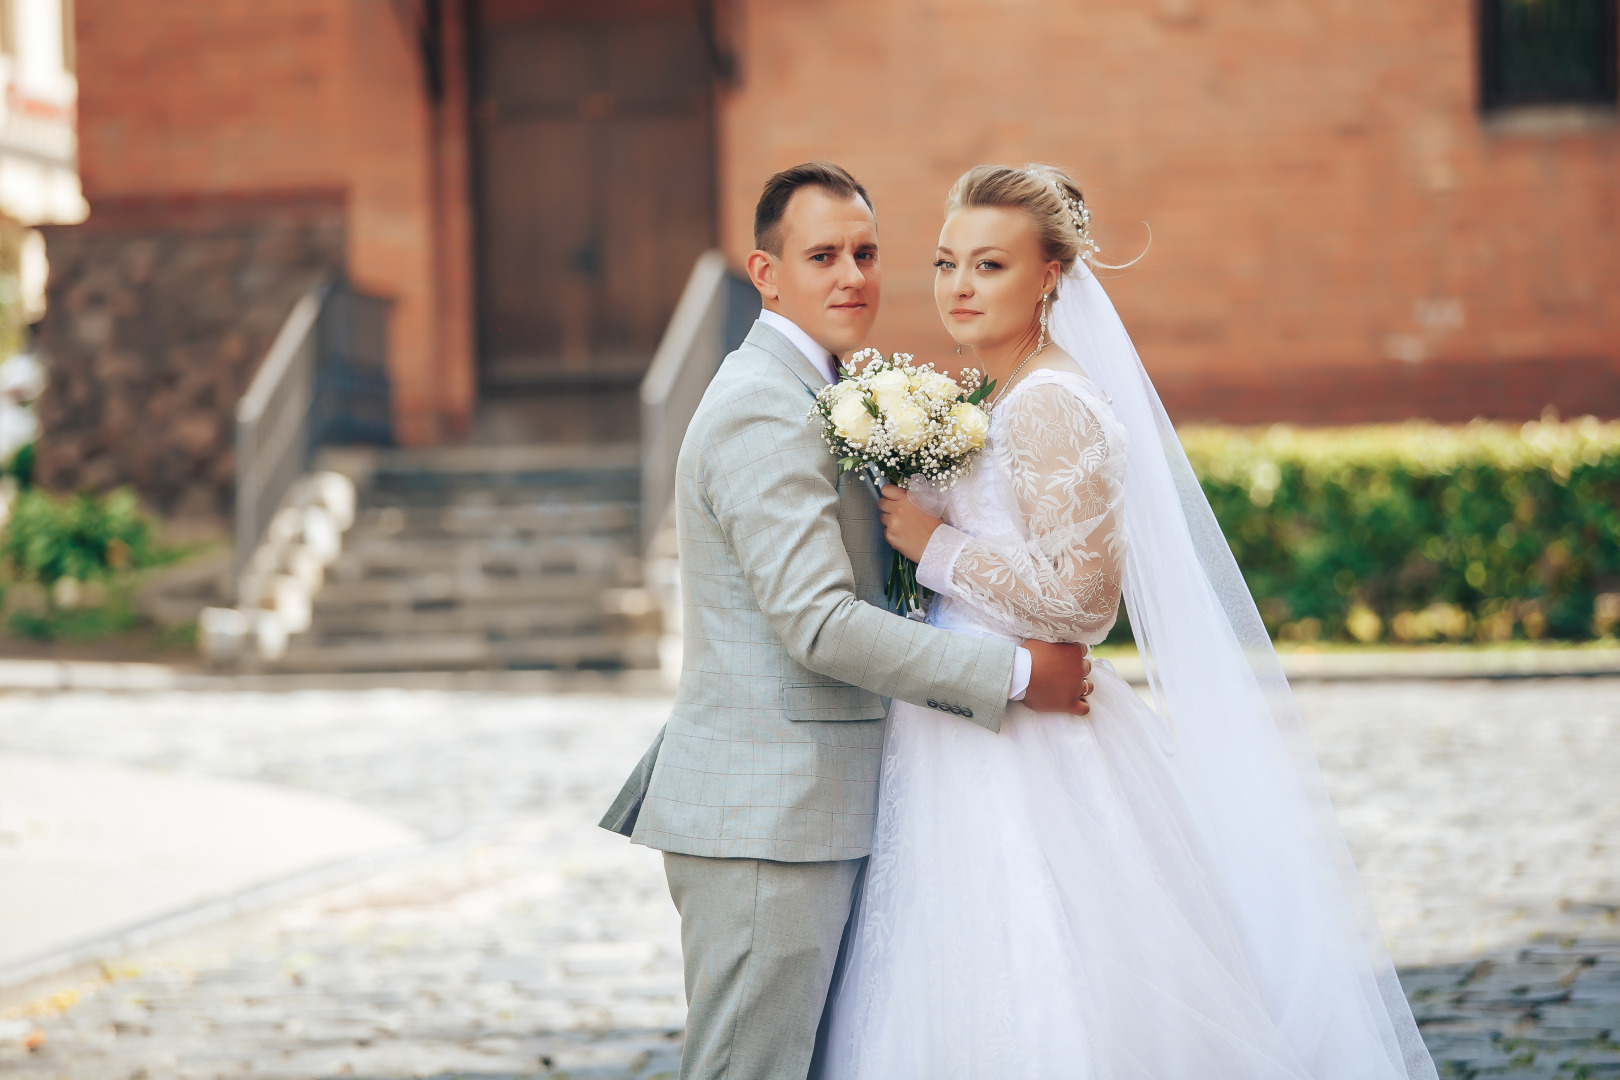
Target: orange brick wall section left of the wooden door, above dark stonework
[241,96]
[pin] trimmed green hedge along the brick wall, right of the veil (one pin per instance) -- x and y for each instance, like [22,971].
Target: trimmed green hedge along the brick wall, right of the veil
[1422,532]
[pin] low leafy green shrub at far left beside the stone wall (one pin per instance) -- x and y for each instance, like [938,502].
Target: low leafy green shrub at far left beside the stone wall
[85,537]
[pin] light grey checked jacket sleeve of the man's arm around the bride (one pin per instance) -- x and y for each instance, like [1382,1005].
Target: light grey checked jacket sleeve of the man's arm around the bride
[772,487]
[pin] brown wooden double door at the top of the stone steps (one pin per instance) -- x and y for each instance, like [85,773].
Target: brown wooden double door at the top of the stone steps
[595,176]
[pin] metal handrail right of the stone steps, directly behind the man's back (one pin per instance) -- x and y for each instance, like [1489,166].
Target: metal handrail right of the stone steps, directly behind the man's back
[715,313]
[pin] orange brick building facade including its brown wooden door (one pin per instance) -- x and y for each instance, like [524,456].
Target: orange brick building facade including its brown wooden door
[1341,231]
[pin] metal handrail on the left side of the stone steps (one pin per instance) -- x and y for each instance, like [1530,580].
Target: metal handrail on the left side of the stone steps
[322,381]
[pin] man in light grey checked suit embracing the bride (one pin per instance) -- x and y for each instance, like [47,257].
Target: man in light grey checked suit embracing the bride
[762,788]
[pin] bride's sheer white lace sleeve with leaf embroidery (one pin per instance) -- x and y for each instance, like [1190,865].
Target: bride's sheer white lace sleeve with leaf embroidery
[1064,582]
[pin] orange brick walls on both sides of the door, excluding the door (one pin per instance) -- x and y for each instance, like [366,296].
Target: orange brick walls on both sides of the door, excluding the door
[1328,206]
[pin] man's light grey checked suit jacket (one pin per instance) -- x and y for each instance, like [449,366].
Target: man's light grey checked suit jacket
[774,747]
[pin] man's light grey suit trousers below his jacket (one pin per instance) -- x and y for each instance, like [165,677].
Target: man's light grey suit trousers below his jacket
[761,943]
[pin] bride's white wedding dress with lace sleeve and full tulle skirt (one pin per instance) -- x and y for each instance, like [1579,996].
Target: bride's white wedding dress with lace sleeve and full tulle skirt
[1044,901]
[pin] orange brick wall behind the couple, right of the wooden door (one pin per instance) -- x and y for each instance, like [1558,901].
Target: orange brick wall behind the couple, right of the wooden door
[1323,192]
